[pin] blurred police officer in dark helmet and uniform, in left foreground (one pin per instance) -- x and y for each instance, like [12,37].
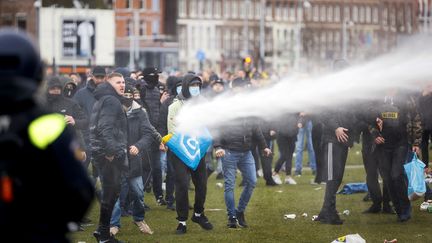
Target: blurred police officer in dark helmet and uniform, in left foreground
[43,187]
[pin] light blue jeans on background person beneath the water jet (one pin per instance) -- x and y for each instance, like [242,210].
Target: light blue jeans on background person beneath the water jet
[306,130]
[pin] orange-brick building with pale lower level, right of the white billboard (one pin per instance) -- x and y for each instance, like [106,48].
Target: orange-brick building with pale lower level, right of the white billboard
[142,37]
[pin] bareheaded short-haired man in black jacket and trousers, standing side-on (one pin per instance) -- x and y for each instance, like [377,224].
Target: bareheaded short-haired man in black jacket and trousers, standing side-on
[108,140]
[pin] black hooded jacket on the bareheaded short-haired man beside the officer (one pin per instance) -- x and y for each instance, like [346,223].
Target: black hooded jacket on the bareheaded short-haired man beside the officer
[108,123]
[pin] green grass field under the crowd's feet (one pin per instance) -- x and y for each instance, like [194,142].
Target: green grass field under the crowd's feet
[265,217]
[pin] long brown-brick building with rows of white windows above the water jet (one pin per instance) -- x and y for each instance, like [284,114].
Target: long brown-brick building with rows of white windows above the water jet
[298,34]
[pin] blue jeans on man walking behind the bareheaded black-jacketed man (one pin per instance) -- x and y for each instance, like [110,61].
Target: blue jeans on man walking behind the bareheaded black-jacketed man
[136,190]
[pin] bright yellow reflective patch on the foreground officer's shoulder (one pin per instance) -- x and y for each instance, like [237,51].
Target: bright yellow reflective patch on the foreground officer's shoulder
[46,129]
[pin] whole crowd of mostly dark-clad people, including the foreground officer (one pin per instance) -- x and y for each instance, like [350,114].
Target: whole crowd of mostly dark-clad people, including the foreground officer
[120,117]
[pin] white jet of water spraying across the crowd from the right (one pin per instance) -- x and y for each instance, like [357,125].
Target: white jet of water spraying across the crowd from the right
[407,67]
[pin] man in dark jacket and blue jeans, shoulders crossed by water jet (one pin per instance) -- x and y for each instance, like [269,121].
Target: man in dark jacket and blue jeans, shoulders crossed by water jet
[234,145]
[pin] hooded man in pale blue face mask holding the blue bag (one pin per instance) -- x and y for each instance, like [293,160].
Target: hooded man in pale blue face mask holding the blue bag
[191,87]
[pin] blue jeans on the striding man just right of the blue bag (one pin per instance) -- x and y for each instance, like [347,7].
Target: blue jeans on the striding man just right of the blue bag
[246,164]
